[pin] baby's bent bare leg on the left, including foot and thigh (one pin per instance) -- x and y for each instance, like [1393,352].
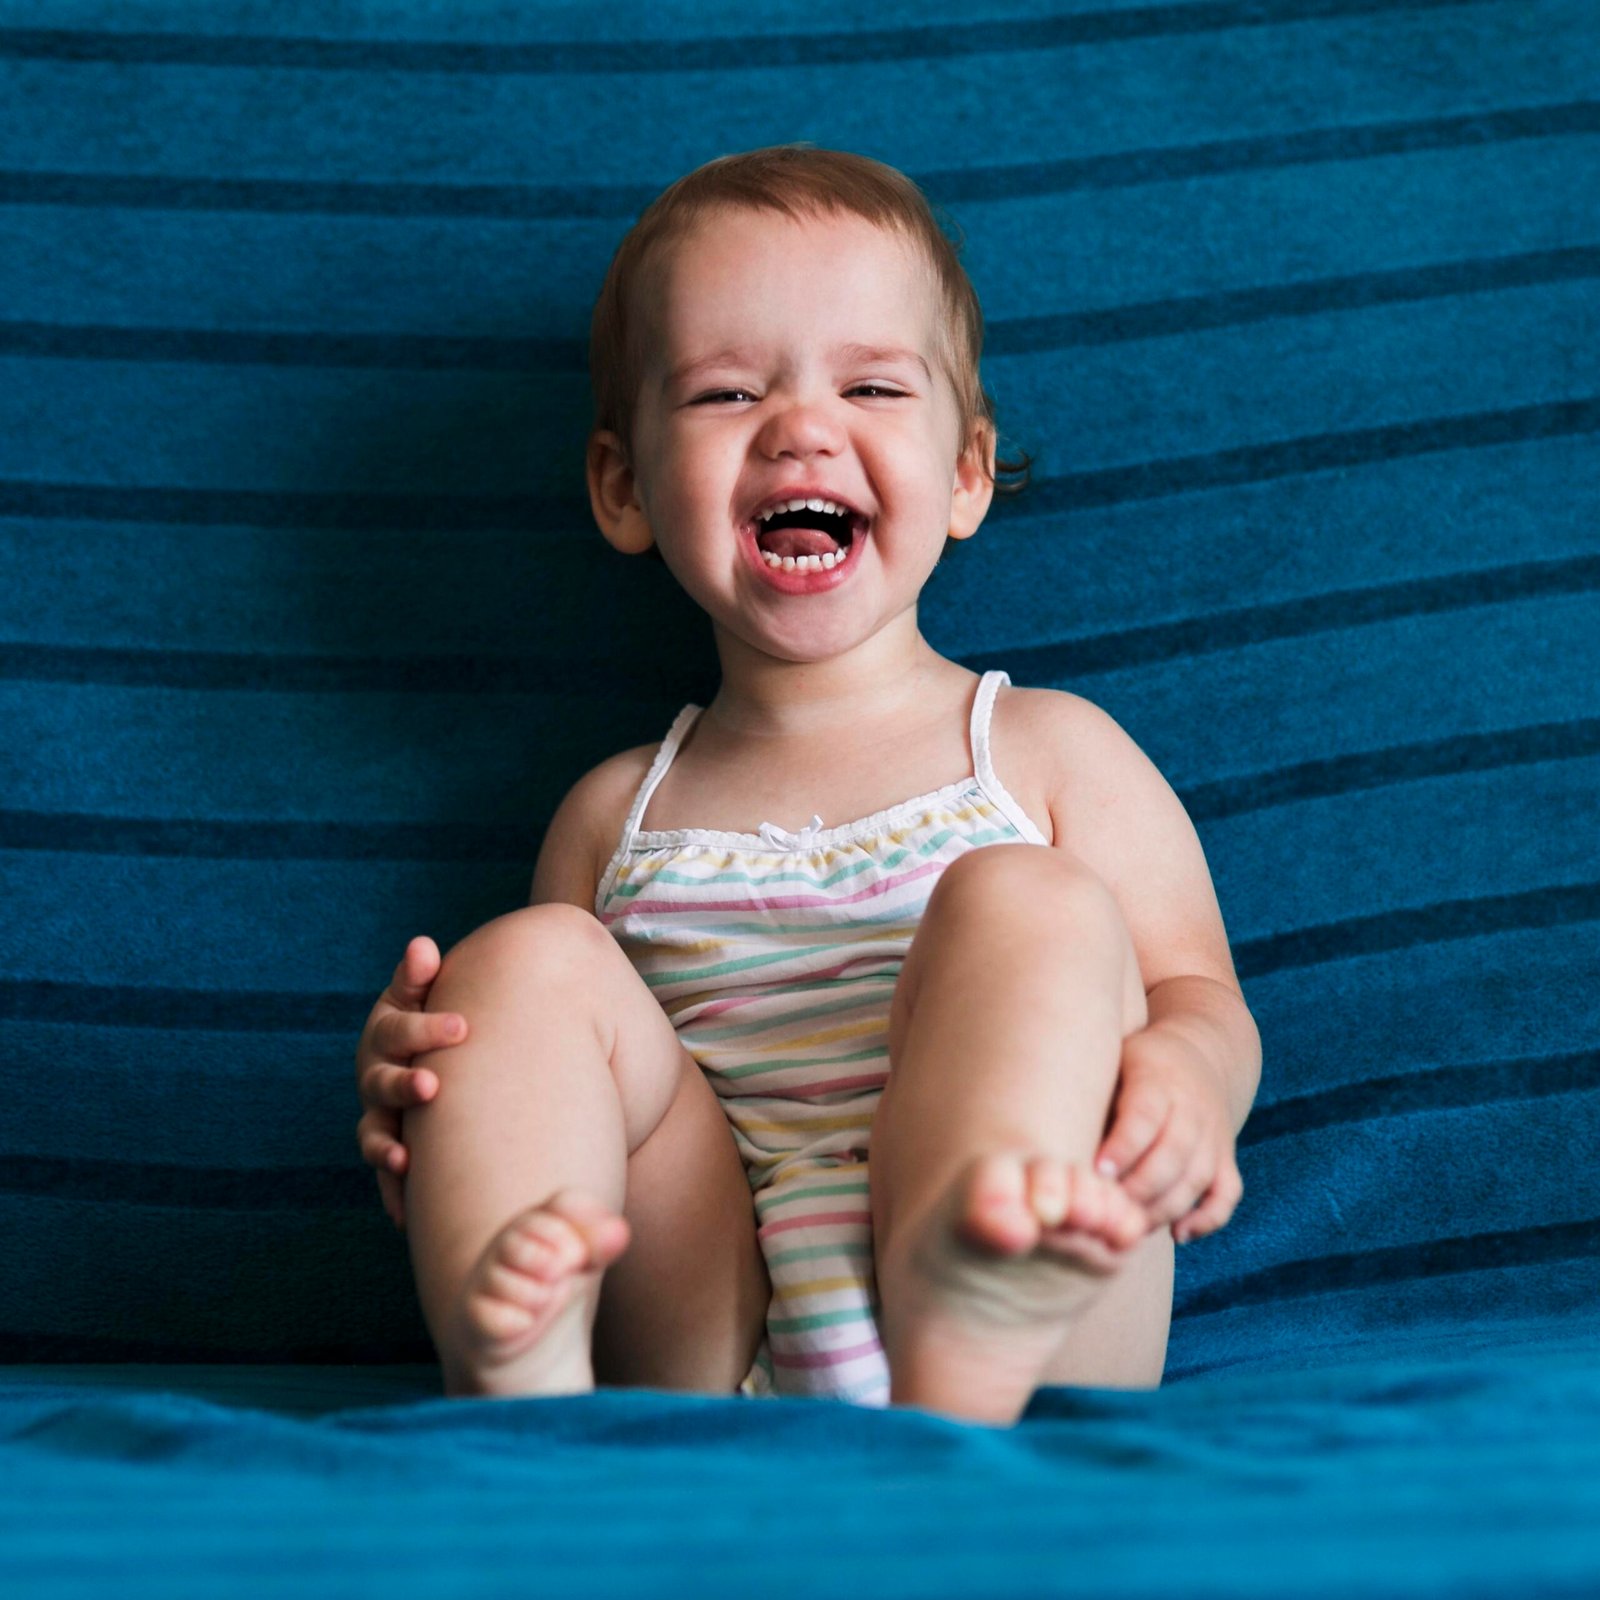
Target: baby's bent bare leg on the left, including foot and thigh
[574,1105]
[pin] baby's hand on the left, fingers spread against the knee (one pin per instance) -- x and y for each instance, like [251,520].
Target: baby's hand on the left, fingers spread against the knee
[396,1031]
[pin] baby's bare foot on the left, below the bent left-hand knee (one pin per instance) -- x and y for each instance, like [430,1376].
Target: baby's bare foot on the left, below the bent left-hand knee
[521,1326]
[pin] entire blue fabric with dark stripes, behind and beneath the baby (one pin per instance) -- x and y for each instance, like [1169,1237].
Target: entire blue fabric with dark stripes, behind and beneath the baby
[305,631]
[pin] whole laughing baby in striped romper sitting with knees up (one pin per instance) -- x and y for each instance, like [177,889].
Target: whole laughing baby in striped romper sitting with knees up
[898,1111]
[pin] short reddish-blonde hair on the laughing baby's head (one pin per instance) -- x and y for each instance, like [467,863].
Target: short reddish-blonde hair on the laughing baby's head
[798,182]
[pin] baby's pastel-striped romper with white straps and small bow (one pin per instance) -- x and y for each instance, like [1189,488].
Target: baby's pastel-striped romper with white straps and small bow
[775,956]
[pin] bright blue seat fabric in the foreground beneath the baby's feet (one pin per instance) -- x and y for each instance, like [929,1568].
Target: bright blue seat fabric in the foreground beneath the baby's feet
[1449,1470]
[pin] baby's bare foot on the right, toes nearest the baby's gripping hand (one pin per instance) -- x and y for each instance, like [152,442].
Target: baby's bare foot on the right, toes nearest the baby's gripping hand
[983,1295]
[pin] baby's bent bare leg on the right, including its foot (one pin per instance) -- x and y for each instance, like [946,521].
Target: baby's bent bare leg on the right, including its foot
[1002,1258]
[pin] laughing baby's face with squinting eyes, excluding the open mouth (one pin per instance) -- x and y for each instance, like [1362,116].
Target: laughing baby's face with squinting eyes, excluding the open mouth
[798,356]
